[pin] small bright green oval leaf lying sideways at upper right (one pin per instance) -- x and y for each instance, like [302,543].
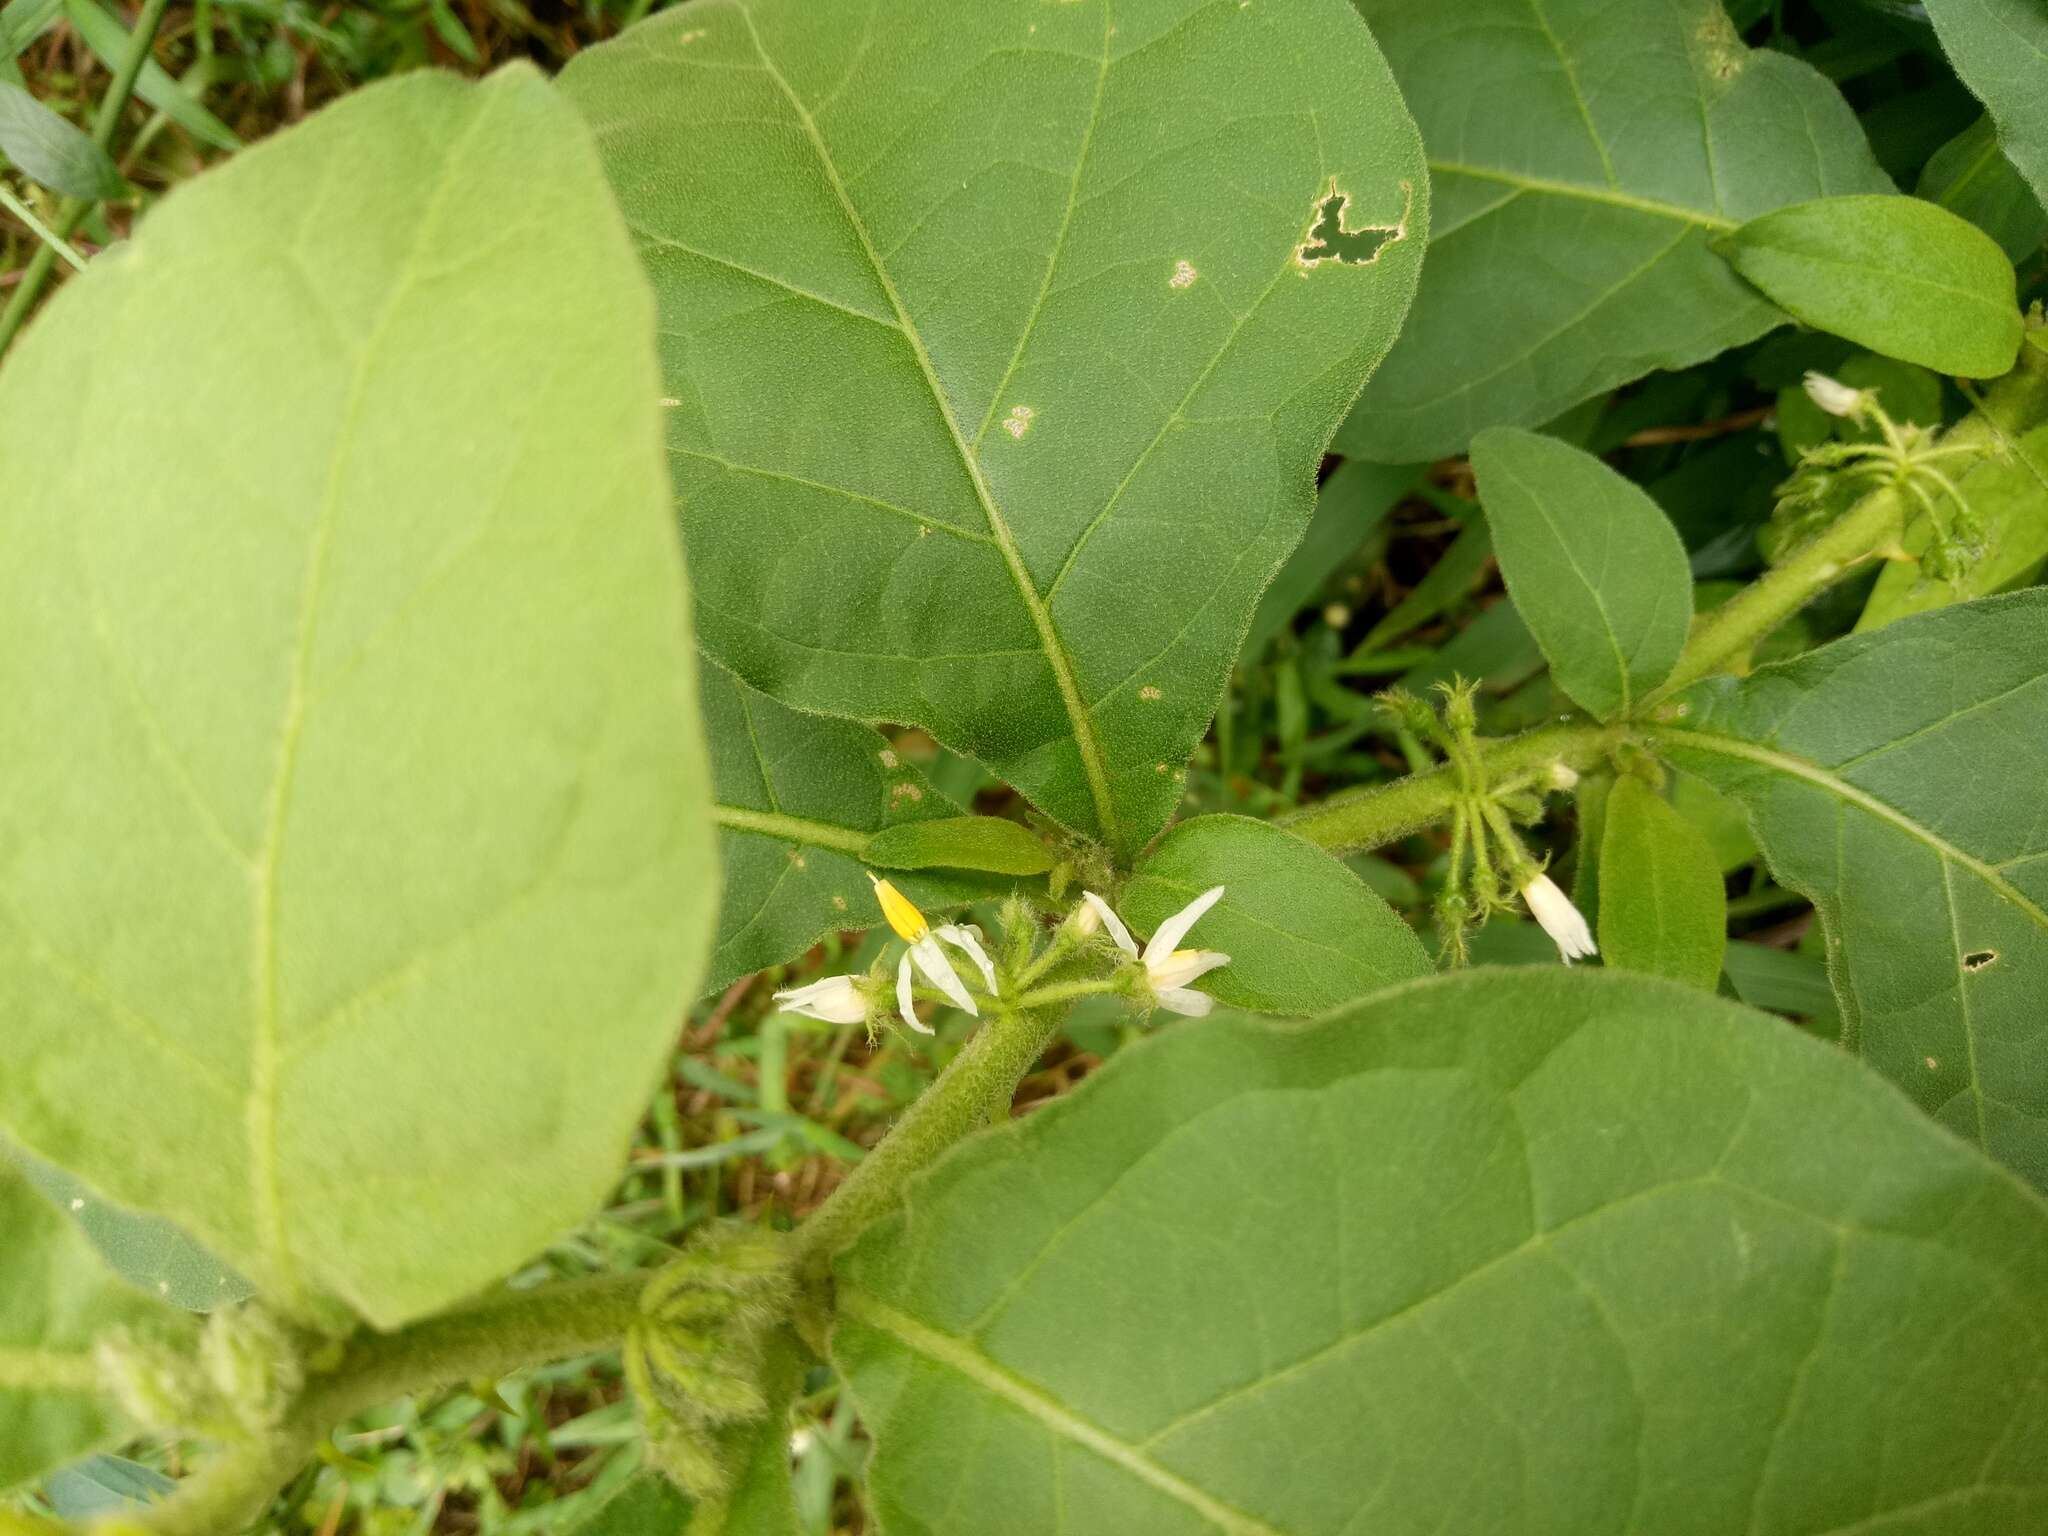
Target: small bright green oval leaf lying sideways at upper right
[1891,273]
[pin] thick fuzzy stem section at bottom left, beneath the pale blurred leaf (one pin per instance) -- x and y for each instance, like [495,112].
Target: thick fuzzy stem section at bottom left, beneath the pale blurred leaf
[497,1336]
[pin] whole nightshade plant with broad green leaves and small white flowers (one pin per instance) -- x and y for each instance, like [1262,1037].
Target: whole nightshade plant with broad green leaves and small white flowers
[380,790]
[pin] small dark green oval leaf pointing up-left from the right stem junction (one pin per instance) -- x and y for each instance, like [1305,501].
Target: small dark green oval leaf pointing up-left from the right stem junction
[1592,564]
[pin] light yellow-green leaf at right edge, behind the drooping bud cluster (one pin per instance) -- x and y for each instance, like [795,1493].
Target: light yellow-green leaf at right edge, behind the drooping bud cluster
[2010,501]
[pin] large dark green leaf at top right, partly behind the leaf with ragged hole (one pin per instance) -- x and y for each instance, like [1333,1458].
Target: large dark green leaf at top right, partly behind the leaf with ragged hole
[1584,155]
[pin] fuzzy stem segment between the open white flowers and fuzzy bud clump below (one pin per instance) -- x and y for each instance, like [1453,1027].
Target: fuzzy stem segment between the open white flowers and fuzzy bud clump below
[974,1091]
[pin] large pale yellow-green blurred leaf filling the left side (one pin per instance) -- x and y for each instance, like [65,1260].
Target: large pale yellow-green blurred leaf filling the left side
[351,712]
